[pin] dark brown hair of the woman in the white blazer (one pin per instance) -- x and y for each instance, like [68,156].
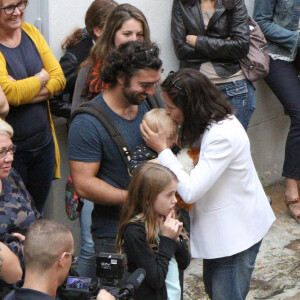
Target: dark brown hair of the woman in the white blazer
[200,101]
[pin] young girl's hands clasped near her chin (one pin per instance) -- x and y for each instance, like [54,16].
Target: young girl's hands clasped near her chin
[170,227]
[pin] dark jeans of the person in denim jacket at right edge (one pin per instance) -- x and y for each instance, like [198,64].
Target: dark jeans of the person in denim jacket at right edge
[284,82]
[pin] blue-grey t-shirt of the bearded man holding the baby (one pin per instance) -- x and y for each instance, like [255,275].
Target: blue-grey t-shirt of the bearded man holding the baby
[89,142]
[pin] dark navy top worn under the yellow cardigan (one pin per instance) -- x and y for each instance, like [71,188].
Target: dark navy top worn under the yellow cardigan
[29,121]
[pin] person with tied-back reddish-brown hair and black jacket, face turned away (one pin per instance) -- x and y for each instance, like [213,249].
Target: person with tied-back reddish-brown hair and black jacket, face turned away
[77,46]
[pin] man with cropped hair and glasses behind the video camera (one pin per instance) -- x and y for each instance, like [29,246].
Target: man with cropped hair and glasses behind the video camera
[48,255]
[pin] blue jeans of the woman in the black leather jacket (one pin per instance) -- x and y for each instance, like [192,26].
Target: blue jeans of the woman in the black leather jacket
[241,96]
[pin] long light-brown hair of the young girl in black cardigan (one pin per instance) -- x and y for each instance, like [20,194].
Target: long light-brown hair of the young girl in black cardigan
[148,180]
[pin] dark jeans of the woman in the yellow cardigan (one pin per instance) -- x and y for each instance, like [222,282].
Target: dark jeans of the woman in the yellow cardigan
[36,169]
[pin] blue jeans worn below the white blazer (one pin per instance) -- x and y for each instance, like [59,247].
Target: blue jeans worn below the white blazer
[228,278]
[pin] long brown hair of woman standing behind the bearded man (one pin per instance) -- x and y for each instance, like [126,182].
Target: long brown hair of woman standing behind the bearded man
[119,15]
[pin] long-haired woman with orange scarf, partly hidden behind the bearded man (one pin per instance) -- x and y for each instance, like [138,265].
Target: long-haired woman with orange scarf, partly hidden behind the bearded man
[126,23]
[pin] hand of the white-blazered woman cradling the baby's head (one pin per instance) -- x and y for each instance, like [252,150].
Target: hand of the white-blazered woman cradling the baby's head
[156,141]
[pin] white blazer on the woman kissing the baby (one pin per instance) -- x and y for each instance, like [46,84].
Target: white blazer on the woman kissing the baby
[232,212]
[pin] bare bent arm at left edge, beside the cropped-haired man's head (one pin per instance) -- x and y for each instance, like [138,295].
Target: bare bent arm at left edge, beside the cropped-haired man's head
[10,268]
